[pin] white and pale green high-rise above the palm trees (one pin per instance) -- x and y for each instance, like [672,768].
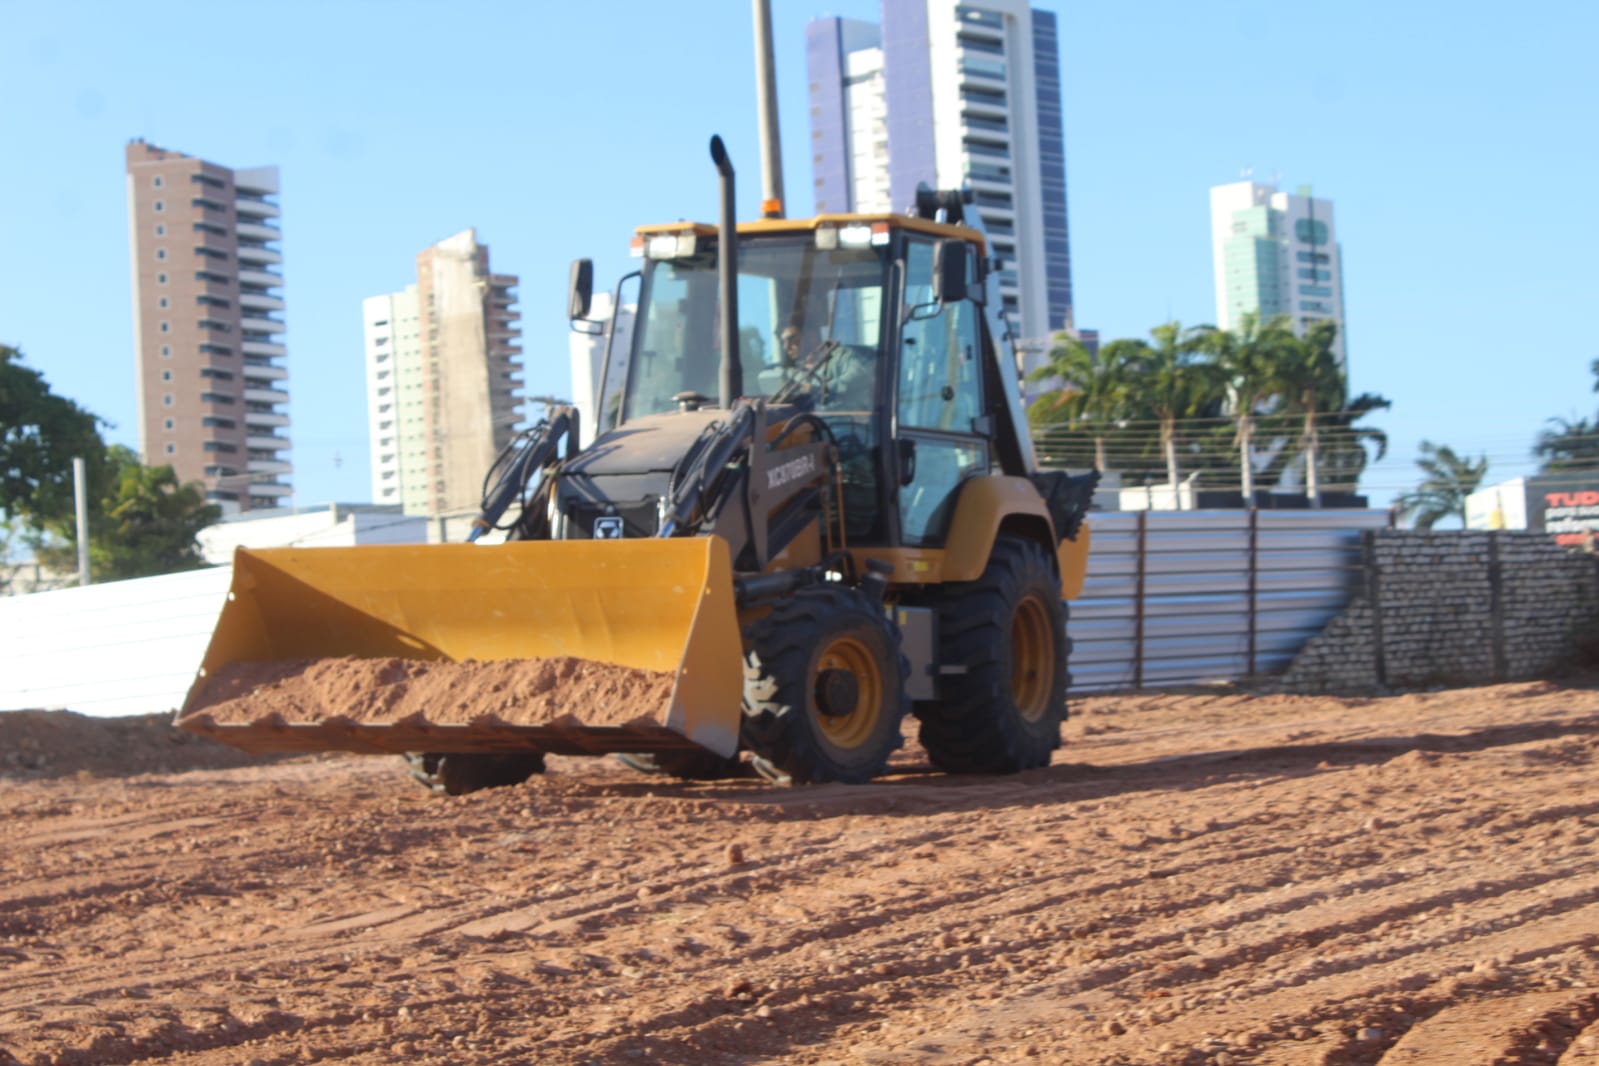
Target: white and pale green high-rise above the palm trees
[1275,253]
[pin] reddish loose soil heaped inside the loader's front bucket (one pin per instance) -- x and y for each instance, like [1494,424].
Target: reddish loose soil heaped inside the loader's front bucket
[519,691]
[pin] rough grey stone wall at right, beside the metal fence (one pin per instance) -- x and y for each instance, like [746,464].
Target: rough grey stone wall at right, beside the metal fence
[1453,608]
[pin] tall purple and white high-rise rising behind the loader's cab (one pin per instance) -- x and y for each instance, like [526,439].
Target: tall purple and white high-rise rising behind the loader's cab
[951,95]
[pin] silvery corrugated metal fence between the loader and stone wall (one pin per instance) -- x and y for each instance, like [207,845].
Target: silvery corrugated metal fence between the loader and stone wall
[1187,597]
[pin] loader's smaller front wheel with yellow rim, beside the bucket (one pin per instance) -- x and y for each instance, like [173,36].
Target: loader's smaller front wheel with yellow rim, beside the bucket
[824,688]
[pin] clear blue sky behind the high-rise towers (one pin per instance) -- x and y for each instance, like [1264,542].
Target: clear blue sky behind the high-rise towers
[1459,143]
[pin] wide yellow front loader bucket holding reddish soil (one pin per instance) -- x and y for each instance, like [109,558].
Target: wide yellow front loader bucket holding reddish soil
[567,646]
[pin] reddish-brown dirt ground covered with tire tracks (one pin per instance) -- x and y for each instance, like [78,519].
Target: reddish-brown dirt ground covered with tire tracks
[1200,878]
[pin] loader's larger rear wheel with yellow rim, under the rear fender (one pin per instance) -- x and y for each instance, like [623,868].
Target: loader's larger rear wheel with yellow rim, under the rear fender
[1010,632]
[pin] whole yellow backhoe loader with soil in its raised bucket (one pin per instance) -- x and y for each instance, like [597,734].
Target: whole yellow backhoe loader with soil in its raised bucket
[810,509]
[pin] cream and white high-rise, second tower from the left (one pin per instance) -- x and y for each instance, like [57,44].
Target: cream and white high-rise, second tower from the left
[444,372]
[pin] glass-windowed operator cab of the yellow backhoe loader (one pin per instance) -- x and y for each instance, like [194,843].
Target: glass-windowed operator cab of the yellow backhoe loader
[872,324]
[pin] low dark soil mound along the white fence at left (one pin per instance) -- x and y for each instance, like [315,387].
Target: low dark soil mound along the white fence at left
[58,744]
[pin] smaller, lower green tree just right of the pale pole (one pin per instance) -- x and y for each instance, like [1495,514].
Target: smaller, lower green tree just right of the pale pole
[143,523]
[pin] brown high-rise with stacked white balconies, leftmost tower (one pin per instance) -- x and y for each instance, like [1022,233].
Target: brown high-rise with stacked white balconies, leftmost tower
[209,327]
